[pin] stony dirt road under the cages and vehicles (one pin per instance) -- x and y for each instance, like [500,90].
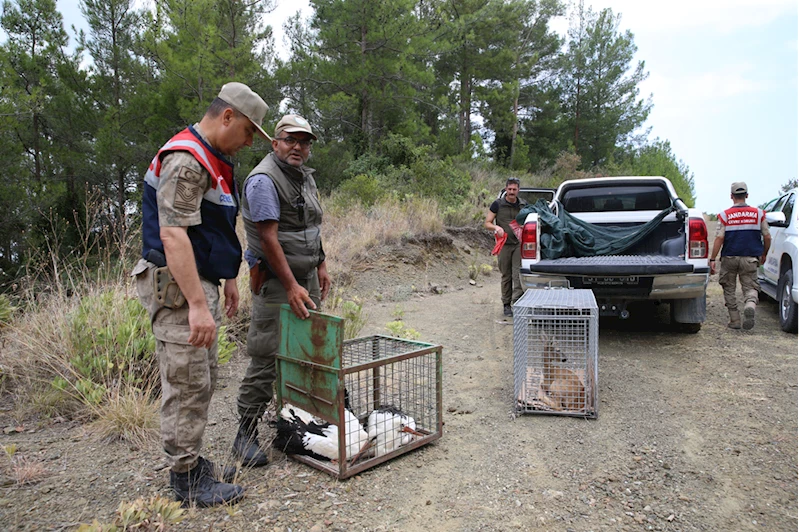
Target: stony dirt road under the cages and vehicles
[695,432]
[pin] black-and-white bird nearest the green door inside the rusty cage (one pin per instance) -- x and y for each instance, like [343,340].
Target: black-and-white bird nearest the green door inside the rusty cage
[298,432]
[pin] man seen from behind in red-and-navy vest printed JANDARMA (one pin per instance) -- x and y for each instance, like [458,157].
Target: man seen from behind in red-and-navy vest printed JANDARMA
[743,237]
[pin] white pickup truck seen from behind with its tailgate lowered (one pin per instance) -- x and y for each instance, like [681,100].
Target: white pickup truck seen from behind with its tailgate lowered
[669,265]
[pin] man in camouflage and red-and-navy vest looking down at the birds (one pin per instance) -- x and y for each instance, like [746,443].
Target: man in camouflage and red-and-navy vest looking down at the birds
[189,210]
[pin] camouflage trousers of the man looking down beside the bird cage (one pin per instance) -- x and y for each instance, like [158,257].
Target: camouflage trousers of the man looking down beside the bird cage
[188,373]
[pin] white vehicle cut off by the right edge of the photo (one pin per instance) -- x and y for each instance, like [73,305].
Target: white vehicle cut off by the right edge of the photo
[778,276]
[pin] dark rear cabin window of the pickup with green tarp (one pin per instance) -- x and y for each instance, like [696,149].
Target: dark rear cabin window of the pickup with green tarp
[623,198]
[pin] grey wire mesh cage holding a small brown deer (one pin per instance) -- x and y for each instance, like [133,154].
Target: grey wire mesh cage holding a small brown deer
[555,351]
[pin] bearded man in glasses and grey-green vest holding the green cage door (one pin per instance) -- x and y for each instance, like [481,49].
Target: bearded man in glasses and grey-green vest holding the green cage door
[282,220]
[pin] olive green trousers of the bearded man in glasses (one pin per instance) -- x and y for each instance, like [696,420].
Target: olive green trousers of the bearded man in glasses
[263,339]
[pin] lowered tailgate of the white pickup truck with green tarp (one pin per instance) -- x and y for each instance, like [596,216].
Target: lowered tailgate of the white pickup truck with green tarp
[612,265]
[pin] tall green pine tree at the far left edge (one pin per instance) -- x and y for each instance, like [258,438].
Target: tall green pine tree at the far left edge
[38,79]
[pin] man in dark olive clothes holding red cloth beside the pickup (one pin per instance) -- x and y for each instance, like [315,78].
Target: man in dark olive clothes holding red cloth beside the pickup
[500,214]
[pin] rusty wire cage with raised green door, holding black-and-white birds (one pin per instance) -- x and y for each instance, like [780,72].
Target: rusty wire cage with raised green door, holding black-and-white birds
[384,391]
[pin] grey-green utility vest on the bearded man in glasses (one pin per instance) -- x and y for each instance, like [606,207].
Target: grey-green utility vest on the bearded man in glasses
[298,229]
